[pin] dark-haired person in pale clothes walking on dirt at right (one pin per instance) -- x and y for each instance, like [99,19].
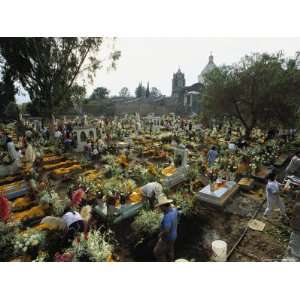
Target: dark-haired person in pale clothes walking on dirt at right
[273,198]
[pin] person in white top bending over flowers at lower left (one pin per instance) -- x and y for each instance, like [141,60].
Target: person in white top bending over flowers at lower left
[74,223]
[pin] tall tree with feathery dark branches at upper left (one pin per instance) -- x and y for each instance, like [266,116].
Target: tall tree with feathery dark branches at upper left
[48,68]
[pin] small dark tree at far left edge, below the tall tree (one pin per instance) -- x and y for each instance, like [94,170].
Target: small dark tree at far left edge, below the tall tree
[7,89]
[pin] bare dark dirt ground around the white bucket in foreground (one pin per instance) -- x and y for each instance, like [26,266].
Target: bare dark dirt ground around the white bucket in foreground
[196,233]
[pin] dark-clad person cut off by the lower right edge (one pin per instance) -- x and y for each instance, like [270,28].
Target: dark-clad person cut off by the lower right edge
[294,243]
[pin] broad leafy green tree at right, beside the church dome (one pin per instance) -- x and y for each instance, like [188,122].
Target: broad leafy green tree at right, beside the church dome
[261,90]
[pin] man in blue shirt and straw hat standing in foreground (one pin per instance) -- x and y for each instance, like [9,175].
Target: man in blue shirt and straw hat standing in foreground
[164,248]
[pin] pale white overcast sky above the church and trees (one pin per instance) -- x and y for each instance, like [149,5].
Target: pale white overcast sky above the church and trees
[156,59]
